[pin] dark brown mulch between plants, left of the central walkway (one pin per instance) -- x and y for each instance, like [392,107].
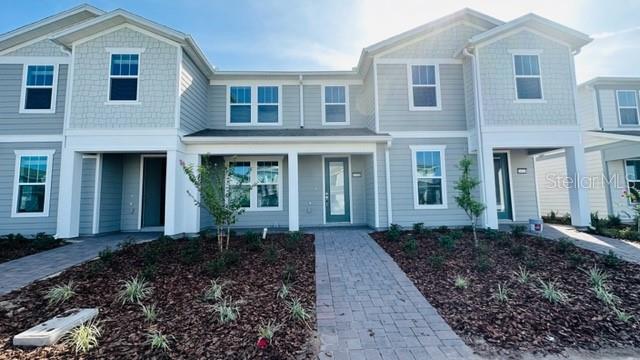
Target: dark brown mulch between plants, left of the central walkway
[178,293]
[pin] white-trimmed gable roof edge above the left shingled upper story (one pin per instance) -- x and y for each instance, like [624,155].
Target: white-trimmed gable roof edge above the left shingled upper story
[119,17]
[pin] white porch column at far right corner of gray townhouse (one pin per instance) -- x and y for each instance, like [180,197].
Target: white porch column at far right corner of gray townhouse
[578,198]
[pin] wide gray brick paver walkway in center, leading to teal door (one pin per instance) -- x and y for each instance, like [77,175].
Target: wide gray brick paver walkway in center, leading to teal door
[367,308]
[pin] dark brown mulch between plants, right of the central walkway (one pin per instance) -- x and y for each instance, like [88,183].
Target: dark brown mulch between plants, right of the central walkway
[527,322]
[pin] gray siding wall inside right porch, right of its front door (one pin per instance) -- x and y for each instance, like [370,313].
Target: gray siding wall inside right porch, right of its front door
[523,186]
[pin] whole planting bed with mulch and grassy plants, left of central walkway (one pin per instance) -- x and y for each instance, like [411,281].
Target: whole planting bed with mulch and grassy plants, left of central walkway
[178,299]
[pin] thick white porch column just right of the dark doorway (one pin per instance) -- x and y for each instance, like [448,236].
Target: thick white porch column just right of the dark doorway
[181,213]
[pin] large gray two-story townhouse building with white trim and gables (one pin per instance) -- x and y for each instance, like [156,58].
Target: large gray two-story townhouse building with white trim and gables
[99,109]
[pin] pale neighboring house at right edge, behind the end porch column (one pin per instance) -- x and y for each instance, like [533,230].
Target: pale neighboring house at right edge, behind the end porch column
[609,117]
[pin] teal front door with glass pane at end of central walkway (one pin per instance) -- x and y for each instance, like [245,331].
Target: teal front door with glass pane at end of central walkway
[336,190]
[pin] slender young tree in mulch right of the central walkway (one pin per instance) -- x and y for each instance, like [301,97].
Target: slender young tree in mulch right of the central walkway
[464,199]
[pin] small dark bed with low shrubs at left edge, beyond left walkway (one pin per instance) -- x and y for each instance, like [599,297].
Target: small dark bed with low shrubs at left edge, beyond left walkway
[14,246]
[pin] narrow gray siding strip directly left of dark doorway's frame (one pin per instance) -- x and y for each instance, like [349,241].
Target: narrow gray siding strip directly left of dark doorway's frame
[130,192]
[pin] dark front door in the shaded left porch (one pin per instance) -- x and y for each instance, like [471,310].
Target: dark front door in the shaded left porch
[154,169]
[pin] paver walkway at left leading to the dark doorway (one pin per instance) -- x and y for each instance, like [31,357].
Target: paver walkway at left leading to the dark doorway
[23,271]
